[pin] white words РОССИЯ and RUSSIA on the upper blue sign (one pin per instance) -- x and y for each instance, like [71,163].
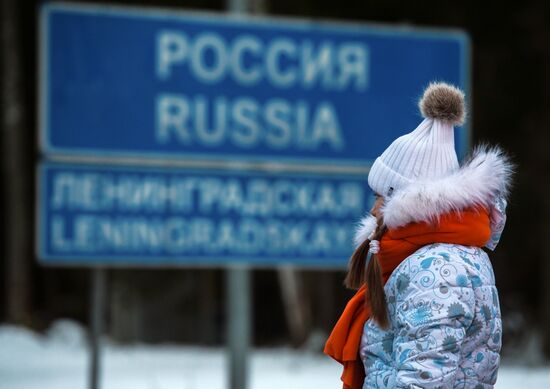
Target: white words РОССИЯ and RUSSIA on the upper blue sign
[245,121]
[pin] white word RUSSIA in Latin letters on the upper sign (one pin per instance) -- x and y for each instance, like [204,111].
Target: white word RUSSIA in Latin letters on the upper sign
[245,123]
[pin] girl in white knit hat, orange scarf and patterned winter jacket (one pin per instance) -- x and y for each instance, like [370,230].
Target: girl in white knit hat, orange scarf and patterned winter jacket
[426,314]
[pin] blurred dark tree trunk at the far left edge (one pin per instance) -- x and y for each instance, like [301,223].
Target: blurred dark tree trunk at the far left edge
[17,223]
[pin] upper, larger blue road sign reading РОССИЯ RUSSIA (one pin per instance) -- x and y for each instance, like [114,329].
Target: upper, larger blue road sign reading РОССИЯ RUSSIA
[126,82]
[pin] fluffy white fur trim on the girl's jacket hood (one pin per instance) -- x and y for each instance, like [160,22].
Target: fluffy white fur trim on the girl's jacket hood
[484,176]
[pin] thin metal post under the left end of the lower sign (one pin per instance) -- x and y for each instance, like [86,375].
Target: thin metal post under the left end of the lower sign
[96,313]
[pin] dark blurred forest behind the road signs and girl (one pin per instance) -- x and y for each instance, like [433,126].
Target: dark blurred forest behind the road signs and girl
[510,106]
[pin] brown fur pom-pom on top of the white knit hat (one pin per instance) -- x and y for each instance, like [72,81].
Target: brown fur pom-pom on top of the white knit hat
[444,102]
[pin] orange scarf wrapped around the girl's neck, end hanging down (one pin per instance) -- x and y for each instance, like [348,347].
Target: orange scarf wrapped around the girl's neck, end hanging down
[467,227]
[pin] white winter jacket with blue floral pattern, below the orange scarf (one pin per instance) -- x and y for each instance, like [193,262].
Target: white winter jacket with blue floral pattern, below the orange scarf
[445,329]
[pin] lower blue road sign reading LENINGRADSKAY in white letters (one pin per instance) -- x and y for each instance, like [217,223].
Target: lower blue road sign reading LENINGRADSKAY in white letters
[116,215]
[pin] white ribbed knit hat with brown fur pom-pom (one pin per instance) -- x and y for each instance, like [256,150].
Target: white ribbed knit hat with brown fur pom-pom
[428,152]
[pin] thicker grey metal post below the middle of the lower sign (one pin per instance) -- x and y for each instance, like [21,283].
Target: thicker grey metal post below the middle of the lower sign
[238,324]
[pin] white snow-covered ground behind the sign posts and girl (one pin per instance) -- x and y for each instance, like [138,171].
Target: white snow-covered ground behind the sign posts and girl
[59,361]
